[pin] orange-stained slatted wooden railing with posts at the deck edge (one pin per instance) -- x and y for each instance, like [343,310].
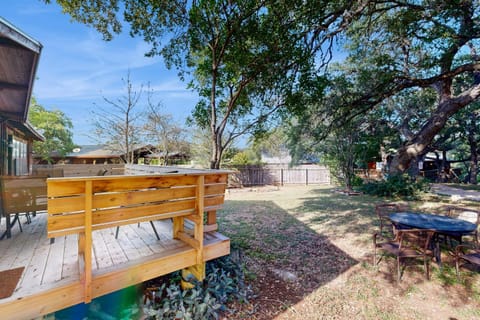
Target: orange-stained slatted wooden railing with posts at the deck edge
[85,204]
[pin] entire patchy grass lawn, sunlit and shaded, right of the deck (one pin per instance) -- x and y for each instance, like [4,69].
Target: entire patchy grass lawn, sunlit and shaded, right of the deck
[307,251]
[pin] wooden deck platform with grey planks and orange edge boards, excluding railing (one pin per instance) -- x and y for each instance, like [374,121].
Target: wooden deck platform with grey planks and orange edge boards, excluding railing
[51,279]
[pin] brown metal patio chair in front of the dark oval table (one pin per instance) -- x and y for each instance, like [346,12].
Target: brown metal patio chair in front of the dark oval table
[408,244]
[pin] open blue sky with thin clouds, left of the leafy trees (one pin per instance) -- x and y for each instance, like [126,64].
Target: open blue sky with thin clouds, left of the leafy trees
[77,68]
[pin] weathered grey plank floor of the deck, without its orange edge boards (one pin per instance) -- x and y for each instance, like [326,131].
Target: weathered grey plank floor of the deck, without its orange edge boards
[47,263]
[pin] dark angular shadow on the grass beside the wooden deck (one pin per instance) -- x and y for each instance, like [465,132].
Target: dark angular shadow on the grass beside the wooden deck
[287,259]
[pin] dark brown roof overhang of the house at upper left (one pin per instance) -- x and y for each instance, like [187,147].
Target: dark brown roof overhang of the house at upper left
[19,56]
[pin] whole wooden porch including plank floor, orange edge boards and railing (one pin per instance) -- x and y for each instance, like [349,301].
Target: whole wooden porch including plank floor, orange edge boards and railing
[164,223]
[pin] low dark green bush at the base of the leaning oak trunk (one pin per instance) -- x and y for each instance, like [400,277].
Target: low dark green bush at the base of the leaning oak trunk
[397,186]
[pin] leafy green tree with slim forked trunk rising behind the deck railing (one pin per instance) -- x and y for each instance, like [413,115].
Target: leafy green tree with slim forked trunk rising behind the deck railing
[242,57]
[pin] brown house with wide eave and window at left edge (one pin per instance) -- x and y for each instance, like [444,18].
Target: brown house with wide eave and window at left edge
[19,55]
